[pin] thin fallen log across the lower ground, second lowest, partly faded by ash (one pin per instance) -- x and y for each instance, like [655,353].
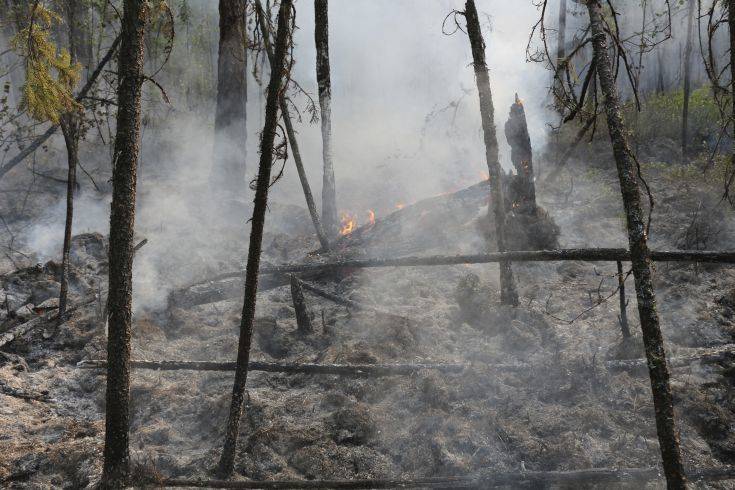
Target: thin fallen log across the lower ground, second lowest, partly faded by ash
[710,356]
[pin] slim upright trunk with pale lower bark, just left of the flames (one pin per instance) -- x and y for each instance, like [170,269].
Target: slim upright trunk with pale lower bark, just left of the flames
[329,193]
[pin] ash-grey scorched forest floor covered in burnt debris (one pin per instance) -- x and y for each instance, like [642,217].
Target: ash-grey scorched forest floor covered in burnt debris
[562,409]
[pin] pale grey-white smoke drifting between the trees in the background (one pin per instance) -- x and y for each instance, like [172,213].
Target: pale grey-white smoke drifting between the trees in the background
[406,126]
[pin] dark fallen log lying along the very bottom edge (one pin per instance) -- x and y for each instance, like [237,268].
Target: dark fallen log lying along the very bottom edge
[575,478]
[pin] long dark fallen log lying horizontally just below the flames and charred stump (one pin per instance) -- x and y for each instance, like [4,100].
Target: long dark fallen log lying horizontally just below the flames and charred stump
[581,254]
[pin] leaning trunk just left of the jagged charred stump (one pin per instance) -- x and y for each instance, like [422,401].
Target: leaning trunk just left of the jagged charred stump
[508,294]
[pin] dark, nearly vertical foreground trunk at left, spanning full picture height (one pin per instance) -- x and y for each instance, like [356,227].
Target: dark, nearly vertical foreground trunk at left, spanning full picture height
[122,220]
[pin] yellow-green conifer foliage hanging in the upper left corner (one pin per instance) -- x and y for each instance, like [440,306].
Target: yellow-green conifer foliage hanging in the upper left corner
[45,96]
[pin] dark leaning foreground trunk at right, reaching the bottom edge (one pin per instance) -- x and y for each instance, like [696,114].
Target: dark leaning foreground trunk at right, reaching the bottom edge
[640,257]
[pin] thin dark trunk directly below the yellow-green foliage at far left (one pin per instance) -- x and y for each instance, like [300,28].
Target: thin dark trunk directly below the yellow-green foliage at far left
[70,130]
